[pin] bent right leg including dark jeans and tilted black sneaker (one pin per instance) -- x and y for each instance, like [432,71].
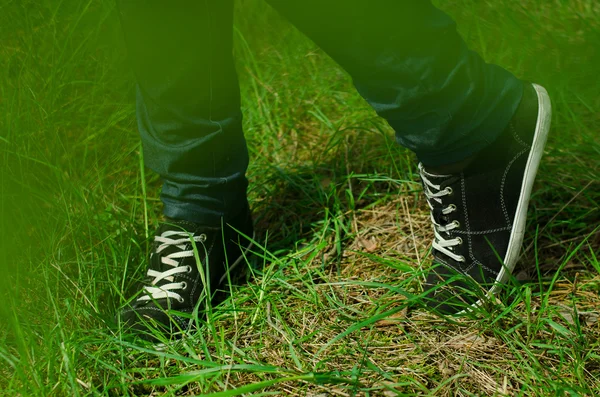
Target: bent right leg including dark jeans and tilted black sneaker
[478,131]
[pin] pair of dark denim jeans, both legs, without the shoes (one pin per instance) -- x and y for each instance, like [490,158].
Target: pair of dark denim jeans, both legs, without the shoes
[404,56]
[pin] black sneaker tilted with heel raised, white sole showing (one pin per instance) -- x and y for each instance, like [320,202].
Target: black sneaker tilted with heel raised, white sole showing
[479,213]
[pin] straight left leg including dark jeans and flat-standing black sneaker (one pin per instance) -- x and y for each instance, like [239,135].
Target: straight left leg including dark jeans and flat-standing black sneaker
[189,117]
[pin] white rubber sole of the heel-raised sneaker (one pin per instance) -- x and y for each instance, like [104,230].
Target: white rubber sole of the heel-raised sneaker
[533,161]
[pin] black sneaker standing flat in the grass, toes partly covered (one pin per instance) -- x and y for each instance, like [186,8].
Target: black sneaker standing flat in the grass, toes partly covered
[176,284]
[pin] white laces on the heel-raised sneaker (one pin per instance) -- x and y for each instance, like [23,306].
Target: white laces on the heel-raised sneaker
[434,193]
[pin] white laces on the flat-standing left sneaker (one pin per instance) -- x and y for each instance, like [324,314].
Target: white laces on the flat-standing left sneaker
[171,238]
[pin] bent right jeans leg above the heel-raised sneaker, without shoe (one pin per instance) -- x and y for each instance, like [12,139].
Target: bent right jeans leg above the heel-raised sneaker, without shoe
[408,61]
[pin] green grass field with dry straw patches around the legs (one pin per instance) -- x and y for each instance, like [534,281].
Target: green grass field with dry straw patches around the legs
[343,225]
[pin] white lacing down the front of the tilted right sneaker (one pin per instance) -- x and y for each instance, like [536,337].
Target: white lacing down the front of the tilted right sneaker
[439,211]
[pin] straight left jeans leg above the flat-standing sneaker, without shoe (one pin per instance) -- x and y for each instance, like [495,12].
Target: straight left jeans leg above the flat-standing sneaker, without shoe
[188,104]
